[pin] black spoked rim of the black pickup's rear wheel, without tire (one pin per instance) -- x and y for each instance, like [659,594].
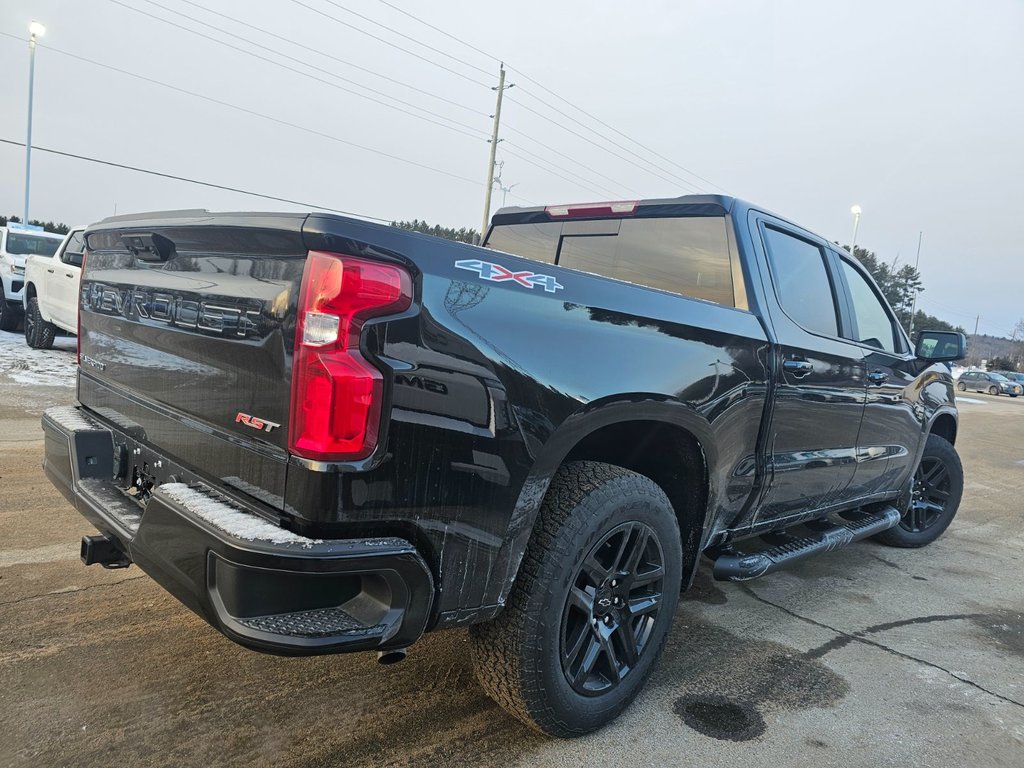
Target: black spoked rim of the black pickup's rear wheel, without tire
[612,609]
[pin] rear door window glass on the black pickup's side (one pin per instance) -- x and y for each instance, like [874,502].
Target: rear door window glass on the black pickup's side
[802,283]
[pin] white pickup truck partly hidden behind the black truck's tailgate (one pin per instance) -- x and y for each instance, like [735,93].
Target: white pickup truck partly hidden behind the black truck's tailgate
[52,291]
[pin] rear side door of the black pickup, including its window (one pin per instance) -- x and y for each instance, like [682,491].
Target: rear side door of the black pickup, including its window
[820,399]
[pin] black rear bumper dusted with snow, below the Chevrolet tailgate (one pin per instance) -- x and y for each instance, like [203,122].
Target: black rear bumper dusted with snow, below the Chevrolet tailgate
[264,587]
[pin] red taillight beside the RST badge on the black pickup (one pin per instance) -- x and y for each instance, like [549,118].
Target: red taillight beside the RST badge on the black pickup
[336,394]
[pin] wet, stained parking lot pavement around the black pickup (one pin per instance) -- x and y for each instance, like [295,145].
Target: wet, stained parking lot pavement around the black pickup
[869,657]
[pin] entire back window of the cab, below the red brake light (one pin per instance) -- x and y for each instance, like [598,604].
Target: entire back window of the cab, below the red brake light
[688,255]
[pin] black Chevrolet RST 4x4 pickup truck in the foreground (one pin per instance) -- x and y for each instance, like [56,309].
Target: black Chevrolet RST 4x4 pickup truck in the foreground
[327,436]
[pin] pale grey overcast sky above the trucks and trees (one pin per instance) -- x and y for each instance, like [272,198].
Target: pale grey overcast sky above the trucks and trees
[915,111]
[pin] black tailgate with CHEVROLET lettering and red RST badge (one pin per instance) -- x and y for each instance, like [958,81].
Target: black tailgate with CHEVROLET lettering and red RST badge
[187,334]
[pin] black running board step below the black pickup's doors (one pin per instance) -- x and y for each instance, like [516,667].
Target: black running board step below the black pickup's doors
[737,567]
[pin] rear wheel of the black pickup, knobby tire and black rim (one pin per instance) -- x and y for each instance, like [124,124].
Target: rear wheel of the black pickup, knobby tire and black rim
[592,605]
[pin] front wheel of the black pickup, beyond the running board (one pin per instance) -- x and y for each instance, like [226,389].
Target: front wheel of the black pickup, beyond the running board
[938,489]
